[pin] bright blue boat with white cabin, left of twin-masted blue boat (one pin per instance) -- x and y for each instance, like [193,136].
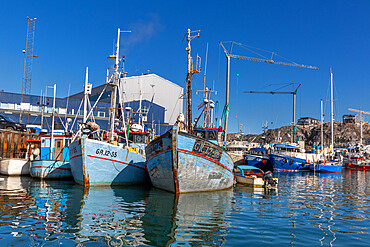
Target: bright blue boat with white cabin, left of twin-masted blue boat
[290,157]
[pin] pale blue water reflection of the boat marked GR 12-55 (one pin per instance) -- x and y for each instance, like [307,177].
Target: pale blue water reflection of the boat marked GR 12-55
[111,215]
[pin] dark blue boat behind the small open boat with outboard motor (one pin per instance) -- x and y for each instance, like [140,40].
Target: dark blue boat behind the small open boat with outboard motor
[259,158]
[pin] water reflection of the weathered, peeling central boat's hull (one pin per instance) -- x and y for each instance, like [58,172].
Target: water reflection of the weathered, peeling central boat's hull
[194,219]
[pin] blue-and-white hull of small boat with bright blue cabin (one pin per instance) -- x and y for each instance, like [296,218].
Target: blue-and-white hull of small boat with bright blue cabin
[50,169]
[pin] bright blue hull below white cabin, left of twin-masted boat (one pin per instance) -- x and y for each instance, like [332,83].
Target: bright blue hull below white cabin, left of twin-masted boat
[287,163]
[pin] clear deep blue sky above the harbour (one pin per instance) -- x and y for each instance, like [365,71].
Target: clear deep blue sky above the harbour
[71,35]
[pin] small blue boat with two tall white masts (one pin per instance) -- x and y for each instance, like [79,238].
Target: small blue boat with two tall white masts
[327,163]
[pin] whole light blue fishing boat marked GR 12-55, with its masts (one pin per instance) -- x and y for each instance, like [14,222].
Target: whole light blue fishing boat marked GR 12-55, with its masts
[101,157]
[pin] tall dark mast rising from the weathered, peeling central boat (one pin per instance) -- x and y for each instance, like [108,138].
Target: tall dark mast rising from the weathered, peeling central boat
[188,78]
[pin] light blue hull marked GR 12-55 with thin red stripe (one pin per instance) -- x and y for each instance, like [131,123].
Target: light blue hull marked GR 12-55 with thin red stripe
[97,163]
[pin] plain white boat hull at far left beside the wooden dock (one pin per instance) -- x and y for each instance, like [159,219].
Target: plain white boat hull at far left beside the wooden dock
[14,167]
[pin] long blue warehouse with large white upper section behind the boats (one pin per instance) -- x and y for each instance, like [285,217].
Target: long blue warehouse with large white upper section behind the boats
[160,99]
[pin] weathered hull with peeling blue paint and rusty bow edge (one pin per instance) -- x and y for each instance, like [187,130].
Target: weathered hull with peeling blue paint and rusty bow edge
[182,163]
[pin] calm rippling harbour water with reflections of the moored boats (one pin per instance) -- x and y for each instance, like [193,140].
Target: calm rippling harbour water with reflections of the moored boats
[306,210]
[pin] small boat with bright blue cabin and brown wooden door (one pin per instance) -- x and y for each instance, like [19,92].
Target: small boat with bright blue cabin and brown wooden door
[52,161]
